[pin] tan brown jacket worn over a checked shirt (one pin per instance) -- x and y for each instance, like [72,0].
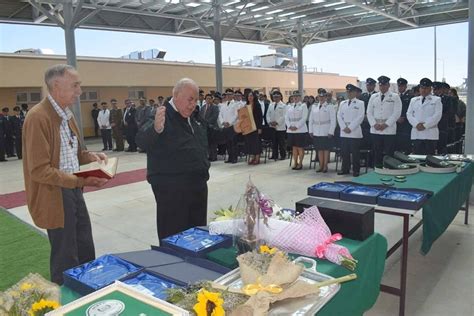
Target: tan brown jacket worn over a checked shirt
[43,179]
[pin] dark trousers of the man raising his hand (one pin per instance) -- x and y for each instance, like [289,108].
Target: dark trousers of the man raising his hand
[179,207]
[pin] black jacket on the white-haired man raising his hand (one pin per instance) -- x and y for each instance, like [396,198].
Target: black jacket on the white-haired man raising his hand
[178,155]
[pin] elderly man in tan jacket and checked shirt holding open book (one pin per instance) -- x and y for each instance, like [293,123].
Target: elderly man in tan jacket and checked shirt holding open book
[52,152]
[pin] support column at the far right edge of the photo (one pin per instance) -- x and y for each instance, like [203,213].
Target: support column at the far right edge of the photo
[469,148]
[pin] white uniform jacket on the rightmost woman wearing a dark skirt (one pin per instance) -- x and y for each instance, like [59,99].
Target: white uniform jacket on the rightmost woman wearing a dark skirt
[322,119]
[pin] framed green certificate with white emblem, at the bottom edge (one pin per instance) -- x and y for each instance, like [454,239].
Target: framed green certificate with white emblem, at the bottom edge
[118,299]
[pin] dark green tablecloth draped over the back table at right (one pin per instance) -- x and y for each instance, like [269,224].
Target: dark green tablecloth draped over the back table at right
[450,191]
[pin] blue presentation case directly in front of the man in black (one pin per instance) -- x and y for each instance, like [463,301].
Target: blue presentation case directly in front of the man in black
[196,242]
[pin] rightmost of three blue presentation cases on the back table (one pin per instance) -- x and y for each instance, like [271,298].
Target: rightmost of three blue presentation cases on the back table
[402,199]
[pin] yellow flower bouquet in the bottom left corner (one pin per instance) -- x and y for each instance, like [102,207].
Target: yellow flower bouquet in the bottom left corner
[32,296]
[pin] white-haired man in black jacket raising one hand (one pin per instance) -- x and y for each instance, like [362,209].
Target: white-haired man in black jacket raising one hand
[176,144]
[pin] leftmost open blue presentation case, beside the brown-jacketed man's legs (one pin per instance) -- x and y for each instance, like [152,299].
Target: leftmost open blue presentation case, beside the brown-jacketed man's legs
[98,273]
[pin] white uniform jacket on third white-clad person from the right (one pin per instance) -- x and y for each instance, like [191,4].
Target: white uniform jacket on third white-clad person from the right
[351,114]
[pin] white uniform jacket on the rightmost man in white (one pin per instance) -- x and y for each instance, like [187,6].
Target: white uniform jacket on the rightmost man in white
[429,113]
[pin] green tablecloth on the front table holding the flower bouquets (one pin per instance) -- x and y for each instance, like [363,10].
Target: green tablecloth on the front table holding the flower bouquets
[355,297]
